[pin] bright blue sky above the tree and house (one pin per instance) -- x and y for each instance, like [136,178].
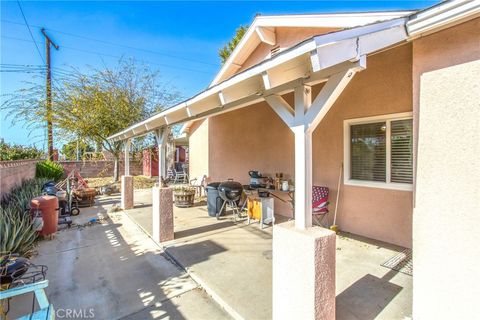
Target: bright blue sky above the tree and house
[180,39]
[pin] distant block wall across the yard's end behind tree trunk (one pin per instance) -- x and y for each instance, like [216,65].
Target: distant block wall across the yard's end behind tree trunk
[101,168]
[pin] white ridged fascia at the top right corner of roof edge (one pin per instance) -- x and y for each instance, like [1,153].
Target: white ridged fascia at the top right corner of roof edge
[442,16]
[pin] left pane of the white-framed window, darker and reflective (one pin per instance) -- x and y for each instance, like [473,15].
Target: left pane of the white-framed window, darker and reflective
[368,152]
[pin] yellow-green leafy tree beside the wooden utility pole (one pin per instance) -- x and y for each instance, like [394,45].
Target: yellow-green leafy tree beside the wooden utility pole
[97,104]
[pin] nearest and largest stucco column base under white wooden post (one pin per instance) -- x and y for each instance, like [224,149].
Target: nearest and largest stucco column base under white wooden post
[303,272]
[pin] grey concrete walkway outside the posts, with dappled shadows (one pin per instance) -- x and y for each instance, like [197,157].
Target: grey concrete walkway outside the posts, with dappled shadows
[115,269]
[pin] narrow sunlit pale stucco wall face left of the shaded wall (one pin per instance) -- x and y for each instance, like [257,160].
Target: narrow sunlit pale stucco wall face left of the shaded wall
[199,149]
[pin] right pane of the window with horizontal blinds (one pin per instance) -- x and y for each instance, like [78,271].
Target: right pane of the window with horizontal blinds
[402,151]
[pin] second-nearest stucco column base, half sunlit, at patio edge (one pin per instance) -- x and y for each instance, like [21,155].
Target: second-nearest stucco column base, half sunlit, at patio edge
[162,214]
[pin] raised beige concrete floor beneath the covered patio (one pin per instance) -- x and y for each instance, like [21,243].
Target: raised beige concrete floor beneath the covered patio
[233,263]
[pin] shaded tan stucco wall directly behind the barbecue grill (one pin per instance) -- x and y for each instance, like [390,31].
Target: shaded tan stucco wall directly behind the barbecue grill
[252,138]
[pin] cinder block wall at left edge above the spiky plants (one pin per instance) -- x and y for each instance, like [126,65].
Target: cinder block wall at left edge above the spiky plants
[12,173]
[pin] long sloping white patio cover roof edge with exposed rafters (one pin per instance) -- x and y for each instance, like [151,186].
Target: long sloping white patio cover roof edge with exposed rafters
[304,63]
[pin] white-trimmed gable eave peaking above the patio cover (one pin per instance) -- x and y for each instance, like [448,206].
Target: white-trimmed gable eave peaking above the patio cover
[263,30]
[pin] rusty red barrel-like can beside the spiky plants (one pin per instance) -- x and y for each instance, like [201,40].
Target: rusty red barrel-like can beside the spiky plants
[48,205]
